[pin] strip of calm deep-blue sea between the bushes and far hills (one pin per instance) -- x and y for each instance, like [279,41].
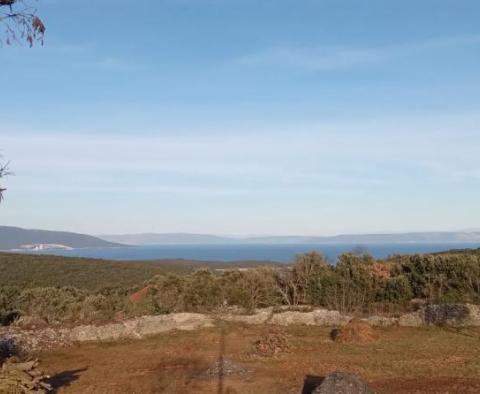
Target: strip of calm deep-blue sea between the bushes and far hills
[280,253]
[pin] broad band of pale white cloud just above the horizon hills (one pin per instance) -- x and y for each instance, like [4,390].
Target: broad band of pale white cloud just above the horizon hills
[393,173]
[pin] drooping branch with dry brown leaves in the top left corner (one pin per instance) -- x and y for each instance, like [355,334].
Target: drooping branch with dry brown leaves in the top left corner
[20,21]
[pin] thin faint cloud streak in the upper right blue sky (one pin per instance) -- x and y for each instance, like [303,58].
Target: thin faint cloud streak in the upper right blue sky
[318,58]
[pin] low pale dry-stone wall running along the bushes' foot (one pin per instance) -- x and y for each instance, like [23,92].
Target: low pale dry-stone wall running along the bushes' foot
[457,315]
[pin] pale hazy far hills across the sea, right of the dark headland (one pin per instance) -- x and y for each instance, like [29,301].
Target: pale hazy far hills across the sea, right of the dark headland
[185,238]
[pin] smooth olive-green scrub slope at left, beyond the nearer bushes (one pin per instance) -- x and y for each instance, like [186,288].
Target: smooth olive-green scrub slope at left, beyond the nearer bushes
[29,271]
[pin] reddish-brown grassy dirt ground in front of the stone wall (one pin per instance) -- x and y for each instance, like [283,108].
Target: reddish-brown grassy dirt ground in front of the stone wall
[422,360]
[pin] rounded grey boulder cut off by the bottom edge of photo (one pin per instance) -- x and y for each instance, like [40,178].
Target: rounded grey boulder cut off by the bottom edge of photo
[343,383]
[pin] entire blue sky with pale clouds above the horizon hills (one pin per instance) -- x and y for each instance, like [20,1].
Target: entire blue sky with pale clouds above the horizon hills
[245,117]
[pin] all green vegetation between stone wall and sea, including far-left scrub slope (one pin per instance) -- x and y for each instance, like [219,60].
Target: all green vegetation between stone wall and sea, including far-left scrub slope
[60,290]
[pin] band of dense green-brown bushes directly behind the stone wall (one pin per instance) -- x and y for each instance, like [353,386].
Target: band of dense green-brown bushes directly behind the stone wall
[356,283]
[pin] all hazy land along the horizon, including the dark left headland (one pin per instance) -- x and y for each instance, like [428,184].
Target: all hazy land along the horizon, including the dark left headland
[15,238]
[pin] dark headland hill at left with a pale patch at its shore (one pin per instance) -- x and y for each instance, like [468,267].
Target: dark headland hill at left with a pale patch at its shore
[16,238]
